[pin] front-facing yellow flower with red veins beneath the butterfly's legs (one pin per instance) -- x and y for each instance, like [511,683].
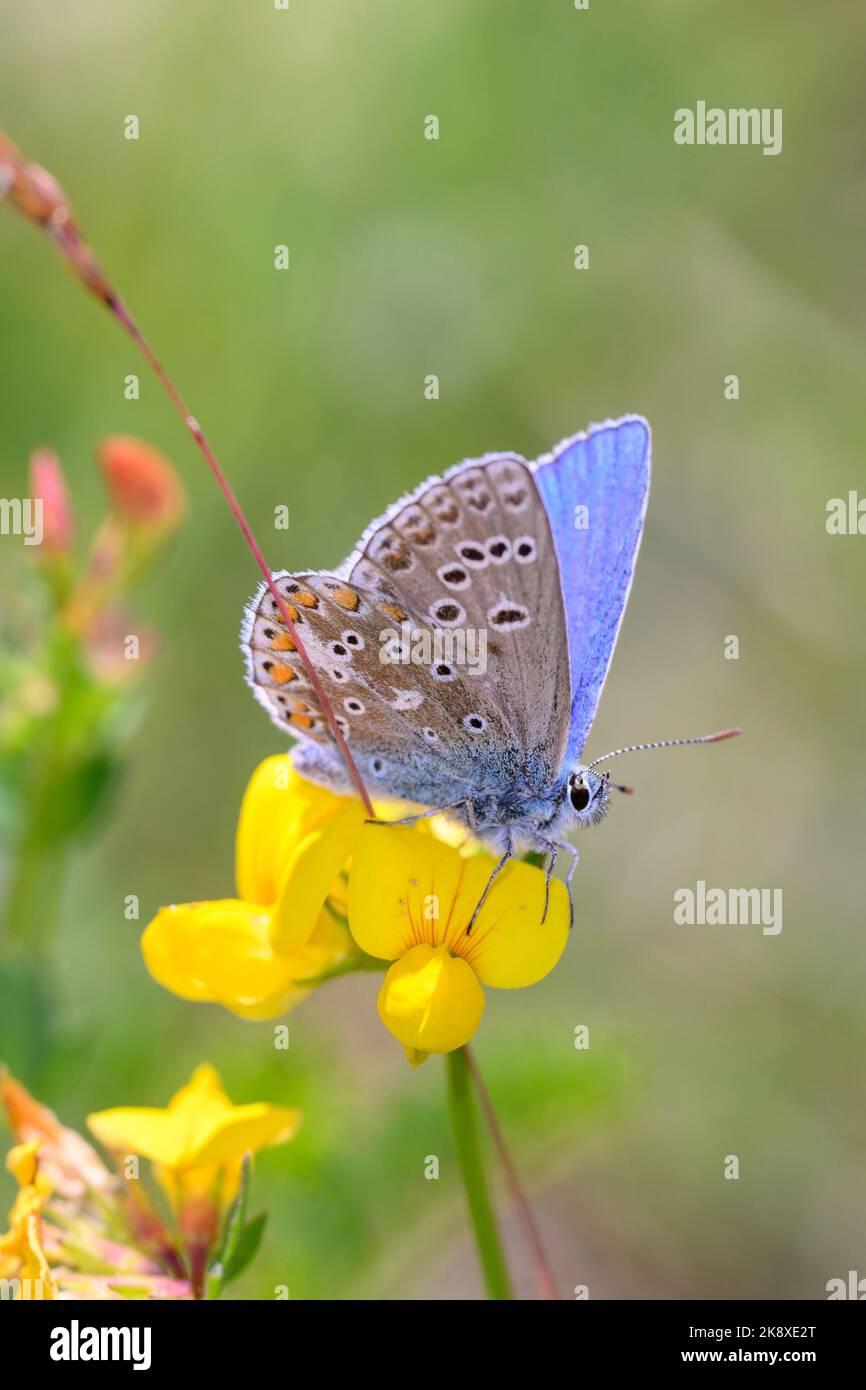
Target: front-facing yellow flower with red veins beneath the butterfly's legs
[411,901]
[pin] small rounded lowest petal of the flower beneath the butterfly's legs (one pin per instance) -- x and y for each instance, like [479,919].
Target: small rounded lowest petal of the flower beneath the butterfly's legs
[432,1001]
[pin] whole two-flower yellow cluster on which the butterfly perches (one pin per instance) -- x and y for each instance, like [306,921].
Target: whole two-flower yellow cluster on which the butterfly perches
[263,951]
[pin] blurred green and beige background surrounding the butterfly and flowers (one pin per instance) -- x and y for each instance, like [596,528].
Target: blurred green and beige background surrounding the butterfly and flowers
[408,258]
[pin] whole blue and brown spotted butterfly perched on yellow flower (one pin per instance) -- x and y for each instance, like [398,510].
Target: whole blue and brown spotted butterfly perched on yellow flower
[466,641]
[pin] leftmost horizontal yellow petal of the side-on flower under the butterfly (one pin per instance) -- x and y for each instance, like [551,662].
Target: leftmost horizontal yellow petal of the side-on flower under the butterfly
[220,953]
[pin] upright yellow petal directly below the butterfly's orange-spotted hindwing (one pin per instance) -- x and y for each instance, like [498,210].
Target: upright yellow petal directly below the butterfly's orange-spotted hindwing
[293,842]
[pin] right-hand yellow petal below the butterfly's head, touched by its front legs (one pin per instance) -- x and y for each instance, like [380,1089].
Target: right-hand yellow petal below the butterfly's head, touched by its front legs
[511,946]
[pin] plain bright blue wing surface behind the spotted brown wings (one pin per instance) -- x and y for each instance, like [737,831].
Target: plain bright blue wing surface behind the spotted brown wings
[607,473]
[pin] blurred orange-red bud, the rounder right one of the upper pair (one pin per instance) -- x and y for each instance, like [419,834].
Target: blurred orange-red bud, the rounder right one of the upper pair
[142,486]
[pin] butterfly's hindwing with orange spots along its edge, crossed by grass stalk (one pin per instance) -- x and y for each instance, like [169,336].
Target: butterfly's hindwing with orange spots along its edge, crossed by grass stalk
[419,730]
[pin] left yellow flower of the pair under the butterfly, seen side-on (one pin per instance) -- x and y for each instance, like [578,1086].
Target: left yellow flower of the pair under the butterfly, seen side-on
[254,953]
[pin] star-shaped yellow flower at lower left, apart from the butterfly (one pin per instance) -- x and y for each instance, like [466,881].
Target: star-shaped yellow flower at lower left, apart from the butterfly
[198,1143]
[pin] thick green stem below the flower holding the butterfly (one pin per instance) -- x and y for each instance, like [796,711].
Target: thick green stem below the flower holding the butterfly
[465,1127]
